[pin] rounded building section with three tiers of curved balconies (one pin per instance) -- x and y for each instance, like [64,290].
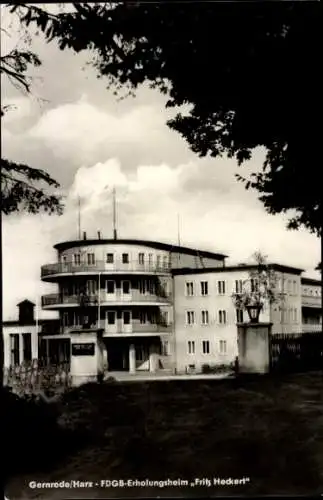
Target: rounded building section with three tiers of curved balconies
[128,289]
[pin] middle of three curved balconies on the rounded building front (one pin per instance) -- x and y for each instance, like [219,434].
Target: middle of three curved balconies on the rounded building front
[57,300]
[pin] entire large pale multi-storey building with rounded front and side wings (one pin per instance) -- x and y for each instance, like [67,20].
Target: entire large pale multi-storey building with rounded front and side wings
[160,307]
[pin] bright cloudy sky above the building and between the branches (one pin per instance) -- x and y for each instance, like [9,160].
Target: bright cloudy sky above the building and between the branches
[74,127]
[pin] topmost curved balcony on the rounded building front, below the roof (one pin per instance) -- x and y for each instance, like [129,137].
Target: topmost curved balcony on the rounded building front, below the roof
[50,272]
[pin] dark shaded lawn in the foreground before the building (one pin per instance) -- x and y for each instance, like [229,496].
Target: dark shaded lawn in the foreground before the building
[267,429]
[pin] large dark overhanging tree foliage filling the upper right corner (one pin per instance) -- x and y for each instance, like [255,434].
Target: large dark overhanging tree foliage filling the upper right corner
[248,70]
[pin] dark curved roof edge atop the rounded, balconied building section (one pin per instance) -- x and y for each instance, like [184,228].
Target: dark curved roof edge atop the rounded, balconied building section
[153,244]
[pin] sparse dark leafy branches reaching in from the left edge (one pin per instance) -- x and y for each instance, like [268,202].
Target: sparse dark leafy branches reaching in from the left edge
[24,187]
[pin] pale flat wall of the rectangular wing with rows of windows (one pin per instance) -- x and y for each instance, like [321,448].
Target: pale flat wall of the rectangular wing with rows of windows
[215,333]
